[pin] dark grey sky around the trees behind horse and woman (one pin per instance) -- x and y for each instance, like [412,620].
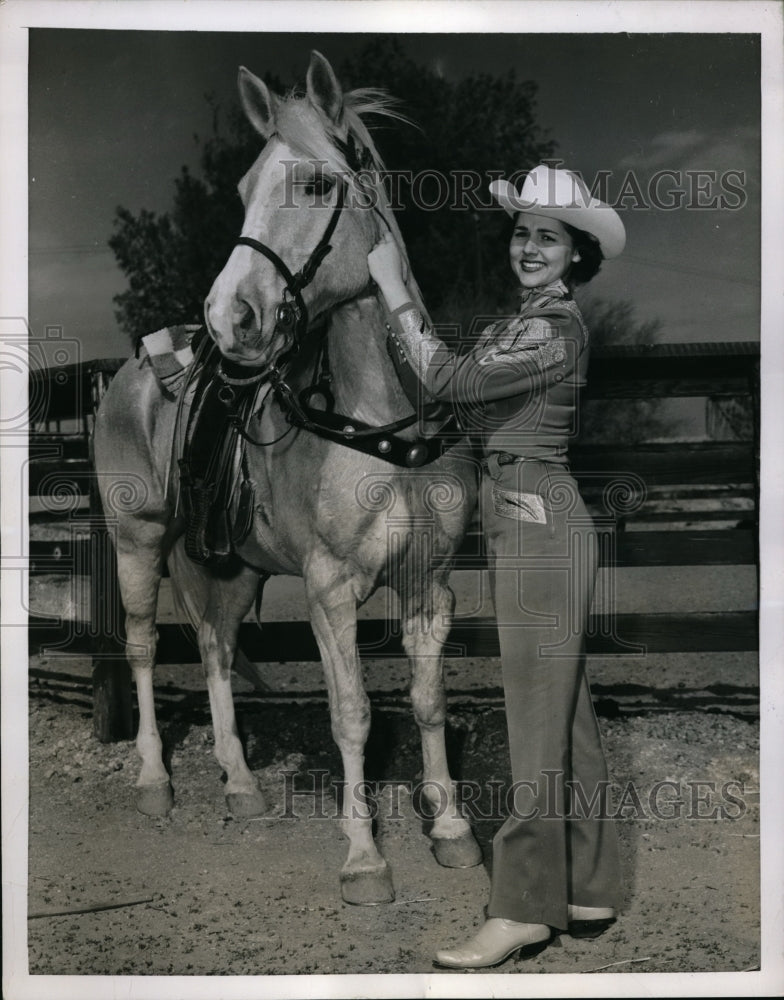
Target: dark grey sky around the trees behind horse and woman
[114,115]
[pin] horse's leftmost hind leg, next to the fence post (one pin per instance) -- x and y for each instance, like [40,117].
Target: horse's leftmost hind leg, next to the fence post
[139,564]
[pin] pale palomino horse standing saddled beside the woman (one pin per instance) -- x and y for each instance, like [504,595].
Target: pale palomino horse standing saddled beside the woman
[346,520]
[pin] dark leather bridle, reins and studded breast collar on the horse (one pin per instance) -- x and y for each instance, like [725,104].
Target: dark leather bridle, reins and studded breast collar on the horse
[291,317]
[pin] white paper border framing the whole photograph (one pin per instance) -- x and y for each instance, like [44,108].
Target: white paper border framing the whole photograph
[380,16]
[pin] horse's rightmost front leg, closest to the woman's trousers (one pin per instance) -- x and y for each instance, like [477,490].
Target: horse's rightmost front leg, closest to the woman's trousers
[426,620]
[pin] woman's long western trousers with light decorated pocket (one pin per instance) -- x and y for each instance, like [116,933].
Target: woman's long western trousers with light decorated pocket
[554,848]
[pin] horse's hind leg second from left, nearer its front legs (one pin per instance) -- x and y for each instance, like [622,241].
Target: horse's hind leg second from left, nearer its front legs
[228,603]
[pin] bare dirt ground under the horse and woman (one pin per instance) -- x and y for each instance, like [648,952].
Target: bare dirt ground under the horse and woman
[203,893]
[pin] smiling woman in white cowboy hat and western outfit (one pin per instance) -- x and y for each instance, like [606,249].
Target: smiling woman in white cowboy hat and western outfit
[555,860]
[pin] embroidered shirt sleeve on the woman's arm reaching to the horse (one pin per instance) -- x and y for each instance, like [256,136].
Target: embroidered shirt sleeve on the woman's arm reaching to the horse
[545,353]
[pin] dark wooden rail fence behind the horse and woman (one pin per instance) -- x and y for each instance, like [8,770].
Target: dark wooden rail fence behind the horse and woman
[60,474]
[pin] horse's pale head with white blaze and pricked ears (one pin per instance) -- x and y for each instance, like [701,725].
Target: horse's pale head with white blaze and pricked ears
[304,193]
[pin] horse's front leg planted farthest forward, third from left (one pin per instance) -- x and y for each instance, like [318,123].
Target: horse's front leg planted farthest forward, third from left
[365,878]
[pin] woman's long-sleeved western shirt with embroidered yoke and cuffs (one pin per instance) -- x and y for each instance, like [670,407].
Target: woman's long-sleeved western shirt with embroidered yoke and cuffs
[517,389]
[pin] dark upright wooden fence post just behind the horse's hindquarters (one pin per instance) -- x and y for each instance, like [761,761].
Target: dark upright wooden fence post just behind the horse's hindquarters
[111,675]
